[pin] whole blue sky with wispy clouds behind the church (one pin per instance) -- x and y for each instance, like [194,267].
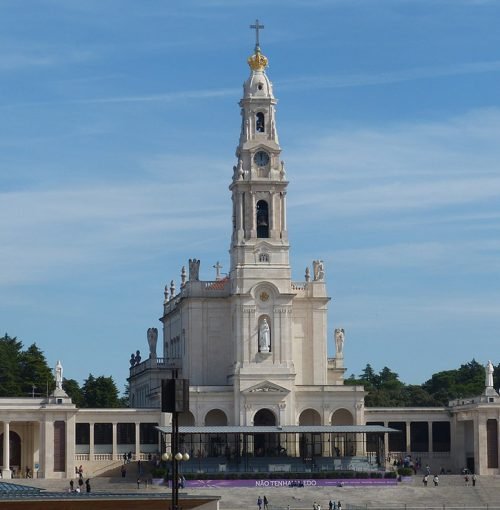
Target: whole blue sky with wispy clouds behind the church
[118,124]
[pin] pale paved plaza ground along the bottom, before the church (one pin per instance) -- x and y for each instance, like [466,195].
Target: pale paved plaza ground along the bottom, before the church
[451,493]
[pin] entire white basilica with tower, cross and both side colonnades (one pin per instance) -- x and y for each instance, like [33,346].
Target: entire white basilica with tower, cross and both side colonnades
[253,346]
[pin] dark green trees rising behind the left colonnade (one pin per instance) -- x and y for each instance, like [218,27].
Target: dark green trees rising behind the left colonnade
[25,372]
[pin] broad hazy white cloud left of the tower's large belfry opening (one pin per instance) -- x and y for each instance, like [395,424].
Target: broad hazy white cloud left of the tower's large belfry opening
[51,232]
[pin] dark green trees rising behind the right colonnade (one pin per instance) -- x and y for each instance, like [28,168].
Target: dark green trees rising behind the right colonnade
[384,389]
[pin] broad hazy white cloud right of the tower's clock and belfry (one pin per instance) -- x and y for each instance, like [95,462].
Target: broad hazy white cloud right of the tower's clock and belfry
[401,167]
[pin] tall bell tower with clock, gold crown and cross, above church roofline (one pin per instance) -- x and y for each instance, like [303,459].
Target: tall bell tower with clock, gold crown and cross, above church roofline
[259,243]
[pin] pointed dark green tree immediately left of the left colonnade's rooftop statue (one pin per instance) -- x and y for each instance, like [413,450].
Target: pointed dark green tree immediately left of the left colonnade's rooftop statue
[34,371]
